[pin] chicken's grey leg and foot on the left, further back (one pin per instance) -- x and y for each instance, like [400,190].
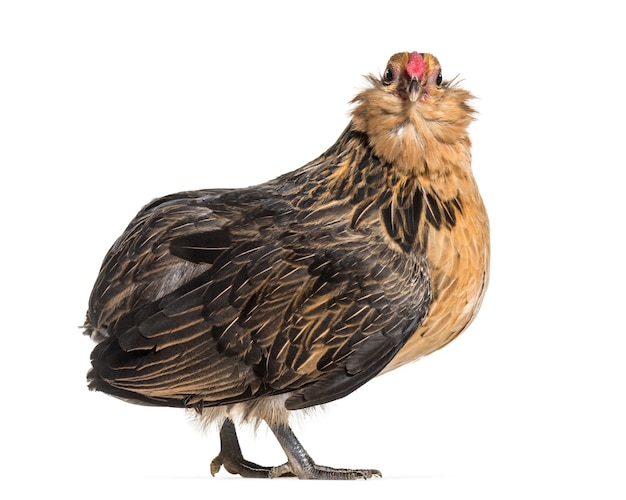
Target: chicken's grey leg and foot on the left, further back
[231,458]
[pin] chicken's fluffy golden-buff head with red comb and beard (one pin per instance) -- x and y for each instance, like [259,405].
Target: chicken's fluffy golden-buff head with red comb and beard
[424,135]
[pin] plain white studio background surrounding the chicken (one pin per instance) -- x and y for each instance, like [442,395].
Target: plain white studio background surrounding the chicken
[106,105]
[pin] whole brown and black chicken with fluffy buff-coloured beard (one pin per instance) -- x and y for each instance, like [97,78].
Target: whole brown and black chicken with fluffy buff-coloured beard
[244,304]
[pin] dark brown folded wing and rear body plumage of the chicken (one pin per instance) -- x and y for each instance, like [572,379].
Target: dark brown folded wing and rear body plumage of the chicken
[233,311]
